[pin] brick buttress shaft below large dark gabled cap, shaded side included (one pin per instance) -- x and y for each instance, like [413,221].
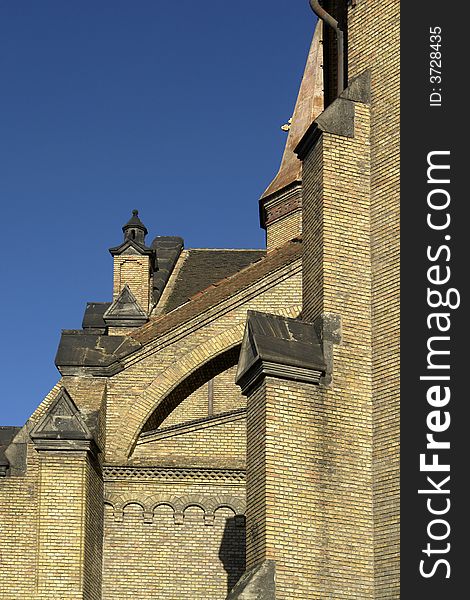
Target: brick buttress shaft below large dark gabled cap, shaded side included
[285,486]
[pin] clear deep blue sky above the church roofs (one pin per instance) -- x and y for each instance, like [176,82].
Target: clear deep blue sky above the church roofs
[173,108]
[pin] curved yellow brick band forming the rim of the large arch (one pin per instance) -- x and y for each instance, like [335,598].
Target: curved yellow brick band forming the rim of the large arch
[165,383]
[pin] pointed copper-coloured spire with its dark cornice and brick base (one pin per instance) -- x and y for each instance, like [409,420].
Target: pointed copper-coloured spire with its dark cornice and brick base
[281,203]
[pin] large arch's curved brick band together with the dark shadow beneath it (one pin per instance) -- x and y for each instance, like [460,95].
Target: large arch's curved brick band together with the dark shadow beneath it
[166,390]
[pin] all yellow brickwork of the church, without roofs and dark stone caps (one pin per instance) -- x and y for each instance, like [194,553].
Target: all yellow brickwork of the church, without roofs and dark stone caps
[346,436]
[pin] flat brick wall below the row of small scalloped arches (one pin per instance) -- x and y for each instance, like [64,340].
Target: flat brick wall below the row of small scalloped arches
[174,561]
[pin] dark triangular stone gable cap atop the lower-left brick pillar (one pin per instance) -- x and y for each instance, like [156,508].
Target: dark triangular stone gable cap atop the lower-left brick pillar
[62,421]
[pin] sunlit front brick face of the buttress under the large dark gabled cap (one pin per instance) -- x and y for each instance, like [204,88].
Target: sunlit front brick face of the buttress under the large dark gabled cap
[295,532]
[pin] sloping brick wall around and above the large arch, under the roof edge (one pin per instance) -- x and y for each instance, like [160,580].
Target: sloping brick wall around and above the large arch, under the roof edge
[134,393]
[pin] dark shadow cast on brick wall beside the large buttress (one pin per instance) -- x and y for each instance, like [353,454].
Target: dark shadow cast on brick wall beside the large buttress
[232,550]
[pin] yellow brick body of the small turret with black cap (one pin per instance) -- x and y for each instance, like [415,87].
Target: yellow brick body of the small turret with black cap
[135,272]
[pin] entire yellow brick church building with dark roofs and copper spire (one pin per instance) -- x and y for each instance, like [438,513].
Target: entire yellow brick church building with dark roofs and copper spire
[227,425]
